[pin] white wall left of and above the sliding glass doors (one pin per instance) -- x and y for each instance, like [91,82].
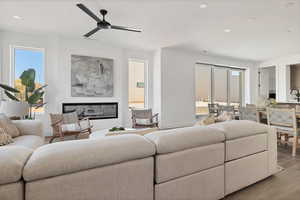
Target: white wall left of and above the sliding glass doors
[178,84]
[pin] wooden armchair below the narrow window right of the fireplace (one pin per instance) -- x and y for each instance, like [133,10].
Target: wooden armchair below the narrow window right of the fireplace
[143,118]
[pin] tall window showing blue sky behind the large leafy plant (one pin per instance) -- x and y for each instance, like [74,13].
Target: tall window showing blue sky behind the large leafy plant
[24,58]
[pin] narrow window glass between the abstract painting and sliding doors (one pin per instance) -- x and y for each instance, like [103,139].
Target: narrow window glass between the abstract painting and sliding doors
[137,83]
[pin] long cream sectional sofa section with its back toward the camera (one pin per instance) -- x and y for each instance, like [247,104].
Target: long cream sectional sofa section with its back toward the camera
[201,163]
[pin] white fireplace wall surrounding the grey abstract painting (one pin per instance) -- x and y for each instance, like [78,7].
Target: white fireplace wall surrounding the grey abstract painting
[58,52]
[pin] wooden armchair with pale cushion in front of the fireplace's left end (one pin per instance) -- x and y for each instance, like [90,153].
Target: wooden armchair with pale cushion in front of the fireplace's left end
[69,124]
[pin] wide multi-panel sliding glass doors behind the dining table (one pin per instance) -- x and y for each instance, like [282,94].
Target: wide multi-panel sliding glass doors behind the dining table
[219,85]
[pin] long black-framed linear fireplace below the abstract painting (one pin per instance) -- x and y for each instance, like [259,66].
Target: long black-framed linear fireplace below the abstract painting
[92,110]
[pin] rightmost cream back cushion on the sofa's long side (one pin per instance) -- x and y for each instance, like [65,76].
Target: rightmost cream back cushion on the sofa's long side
[240,128]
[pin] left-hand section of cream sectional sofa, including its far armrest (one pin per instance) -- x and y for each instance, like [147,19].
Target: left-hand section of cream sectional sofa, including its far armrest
[14,156]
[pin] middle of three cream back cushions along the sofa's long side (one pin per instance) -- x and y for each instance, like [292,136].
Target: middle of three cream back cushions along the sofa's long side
[174,140]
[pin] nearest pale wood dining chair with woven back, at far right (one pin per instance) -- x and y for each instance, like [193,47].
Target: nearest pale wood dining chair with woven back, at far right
[285,122]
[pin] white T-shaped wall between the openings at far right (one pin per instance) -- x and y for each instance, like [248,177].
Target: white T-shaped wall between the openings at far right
[282,74]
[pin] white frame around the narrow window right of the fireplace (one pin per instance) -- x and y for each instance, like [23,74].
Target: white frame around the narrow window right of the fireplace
[146,80]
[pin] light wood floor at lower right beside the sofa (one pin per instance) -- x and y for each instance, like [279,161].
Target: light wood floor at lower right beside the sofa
[285,185]
